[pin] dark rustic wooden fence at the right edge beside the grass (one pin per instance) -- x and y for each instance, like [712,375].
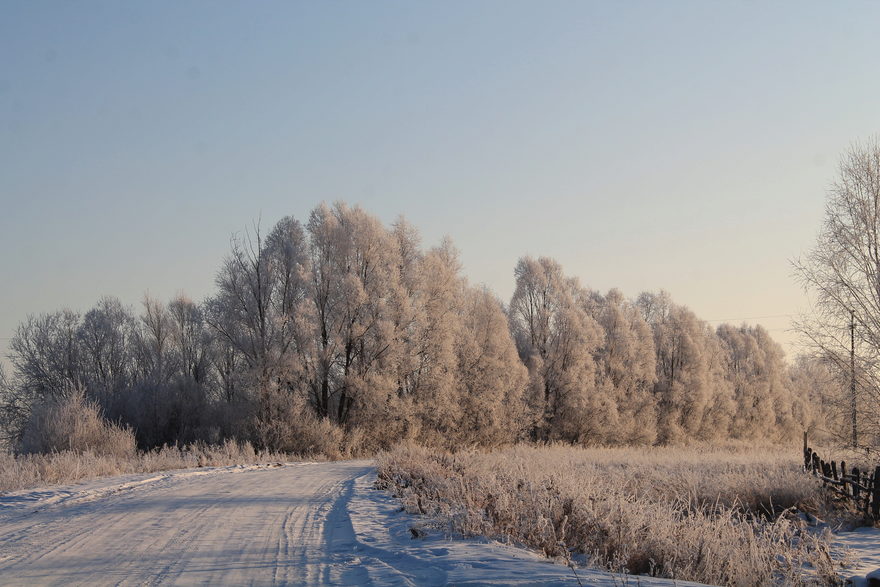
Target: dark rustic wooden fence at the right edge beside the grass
[862,487]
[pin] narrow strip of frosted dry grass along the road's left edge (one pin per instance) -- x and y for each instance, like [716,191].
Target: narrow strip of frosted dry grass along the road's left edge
[36,470]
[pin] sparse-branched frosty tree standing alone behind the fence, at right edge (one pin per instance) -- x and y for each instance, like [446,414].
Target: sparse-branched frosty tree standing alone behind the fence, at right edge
[842,274]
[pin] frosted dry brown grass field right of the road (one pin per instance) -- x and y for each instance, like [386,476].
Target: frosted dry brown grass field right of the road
[713,515]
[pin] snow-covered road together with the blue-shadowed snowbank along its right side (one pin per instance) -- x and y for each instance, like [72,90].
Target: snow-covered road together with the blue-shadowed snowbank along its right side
[300,524]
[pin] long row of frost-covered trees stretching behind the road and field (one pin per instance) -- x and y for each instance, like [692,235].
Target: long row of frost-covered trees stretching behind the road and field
[347,331]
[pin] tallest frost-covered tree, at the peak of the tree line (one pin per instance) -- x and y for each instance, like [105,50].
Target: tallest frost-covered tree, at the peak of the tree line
[354,287]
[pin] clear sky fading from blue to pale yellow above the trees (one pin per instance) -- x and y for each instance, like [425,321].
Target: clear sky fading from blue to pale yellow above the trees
[644,145]
